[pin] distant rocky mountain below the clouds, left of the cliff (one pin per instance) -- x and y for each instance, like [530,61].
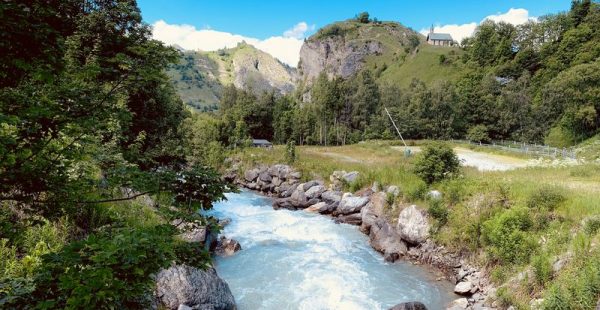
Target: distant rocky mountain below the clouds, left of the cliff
[200,76]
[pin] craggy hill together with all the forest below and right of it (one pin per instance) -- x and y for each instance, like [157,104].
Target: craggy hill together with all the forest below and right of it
[537,82]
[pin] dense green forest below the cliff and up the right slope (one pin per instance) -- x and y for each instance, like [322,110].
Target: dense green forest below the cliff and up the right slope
[536,82]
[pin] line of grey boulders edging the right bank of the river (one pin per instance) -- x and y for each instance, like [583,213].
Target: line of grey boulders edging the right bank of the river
[408,238]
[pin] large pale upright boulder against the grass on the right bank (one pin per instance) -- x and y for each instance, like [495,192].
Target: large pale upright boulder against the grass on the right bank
[413,225]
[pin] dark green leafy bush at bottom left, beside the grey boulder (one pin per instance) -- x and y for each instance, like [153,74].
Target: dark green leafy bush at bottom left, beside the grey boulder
[108,270]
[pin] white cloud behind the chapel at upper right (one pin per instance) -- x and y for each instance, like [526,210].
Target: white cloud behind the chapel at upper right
[459,32]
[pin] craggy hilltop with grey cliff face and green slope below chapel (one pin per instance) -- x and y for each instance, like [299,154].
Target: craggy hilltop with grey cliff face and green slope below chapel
[395,53]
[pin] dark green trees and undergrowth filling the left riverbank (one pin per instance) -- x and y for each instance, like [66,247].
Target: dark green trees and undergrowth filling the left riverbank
[88,122]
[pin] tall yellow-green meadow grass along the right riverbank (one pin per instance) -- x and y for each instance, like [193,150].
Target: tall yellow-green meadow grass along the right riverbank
[495,192]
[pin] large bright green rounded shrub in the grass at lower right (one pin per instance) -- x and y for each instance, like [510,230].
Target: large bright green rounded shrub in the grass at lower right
[507,237]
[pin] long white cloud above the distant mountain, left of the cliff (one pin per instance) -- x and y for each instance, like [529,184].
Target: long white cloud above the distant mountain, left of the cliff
[286,48]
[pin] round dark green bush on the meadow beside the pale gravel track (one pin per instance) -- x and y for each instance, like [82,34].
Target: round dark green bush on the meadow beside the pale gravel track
[436,162]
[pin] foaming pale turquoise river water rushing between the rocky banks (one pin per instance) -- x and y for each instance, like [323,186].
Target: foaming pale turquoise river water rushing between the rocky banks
[300,260]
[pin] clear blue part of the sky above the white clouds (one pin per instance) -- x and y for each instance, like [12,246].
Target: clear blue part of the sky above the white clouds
[262,19]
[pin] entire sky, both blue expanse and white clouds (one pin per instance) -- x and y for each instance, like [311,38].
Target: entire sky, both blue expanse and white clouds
[279,27]
